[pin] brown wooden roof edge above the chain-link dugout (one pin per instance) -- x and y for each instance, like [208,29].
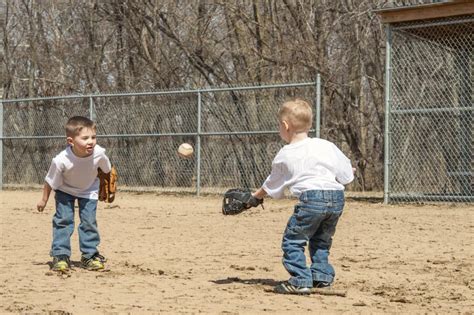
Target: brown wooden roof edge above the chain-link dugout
[427,11]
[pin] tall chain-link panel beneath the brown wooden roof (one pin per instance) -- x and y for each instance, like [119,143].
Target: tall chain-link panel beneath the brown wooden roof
[431,110]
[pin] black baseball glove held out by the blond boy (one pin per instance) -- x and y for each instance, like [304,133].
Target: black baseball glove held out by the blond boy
[237,200]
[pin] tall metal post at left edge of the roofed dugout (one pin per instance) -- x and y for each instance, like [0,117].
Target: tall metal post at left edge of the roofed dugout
[388,68]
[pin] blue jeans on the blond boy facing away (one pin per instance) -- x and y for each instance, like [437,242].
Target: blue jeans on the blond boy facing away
[314,221]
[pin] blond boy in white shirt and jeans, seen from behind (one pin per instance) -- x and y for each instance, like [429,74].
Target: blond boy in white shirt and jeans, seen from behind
[315,171]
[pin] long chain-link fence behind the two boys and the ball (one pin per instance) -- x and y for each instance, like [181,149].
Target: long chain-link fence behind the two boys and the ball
[234,132]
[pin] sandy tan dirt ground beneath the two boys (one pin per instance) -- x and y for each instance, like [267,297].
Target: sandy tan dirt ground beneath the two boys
[179,254]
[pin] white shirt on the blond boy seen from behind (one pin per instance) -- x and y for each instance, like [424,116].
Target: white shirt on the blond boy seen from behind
[309,164]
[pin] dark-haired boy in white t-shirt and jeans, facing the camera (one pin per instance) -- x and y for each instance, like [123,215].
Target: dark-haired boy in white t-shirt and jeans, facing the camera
[73,175]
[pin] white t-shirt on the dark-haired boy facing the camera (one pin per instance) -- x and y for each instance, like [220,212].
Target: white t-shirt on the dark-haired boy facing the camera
[75,175]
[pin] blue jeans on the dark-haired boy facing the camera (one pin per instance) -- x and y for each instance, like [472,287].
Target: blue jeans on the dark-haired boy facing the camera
[63,225]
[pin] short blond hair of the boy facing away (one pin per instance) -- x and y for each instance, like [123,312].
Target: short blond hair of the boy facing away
[298,114]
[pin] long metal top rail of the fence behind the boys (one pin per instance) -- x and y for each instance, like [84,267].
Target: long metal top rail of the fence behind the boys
[151,93]
